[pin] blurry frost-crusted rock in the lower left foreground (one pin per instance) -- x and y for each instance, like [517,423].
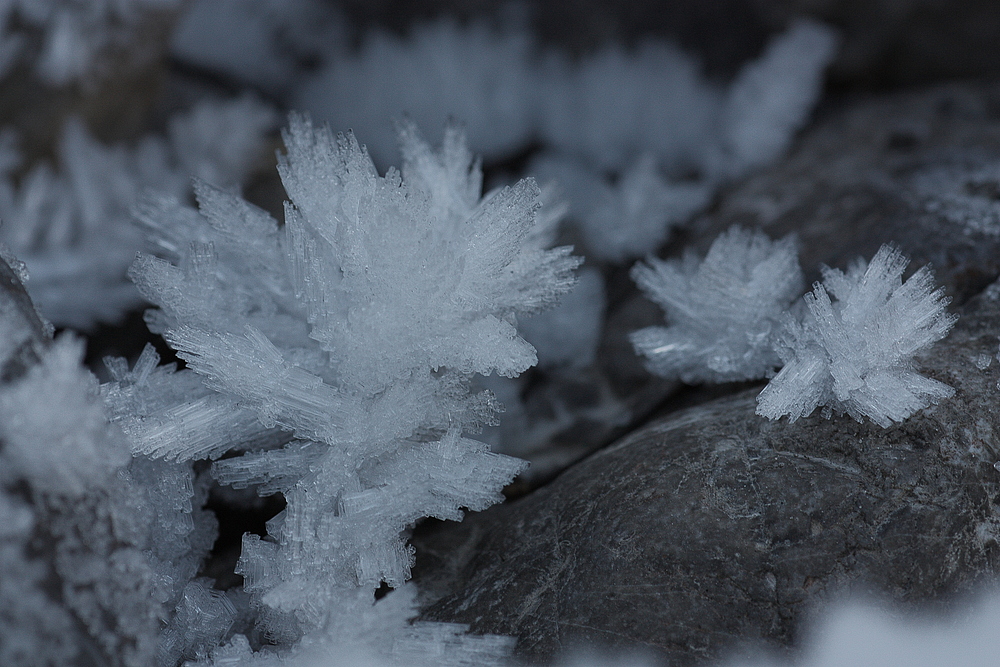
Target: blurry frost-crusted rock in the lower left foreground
[98,545]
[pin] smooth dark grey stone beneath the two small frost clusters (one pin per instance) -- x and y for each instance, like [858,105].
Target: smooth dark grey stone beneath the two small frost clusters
[714,527]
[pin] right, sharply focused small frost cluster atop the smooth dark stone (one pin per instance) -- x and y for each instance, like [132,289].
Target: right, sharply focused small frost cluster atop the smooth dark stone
[854,354]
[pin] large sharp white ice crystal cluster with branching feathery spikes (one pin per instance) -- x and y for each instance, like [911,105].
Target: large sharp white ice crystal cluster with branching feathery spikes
[333,354]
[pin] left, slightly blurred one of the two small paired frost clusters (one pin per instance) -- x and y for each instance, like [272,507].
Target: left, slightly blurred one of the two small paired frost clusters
[722,310]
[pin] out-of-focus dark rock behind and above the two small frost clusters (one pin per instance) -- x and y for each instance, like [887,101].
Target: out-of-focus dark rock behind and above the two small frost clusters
[919,169]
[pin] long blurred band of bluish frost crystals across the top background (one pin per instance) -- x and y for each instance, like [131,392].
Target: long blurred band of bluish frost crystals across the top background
[646,117]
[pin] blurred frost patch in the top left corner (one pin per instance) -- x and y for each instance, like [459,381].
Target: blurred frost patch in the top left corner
[77,38]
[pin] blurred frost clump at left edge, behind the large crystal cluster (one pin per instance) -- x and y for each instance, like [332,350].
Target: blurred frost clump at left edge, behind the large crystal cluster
[73,226]
